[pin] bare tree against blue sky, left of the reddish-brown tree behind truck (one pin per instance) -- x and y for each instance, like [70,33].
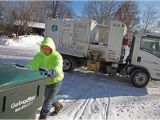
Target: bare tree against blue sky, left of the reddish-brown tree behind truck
[100,11]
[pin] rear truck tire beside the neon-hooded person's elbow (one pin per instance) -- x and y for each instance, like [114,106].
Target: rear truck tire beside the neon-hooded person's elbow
[69,64]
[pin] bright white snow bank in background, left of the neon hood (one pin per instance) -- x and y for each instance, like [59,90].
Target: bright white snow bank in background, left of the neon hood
[26,40]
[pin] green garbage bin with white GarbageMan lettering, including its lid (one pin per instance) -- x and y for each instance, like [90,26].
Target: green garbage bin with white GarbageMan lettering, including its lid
[21,92]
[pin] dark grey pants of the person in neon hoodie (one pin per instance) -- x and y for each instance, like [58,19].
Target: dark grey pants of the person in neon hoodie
[50,92]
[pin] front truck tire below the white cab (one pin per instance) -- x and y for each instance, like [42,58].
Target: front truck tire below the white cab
[140,78]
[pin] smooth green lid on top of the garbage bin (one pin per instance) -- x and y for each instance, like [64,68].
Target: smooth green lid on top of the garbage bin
[10,75]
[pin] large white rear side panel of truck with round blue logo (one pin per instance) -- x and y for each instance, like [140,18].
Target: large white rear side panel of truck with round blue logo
[71,38]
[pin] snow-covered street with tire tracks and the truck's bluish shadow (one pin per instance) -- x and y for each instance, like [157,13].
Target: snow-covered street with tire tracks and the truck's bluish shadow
[93,96]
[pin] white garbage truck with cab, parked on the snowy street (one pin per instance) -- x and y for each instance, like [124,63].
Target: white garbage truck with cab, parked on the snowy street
[100,48]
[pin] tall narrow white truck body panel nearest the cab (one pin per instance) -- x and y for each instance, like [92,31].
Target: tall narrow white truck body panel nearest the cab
[116,34]
